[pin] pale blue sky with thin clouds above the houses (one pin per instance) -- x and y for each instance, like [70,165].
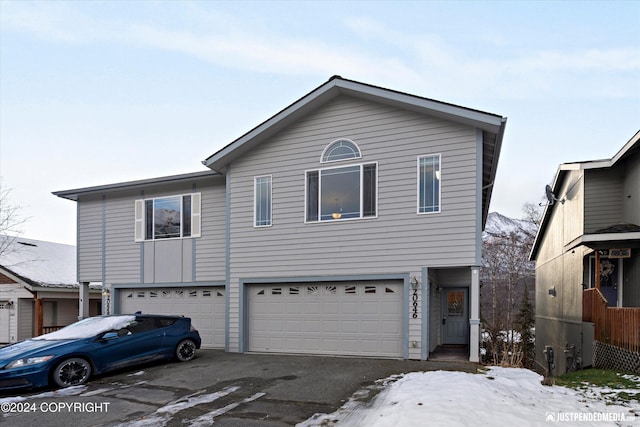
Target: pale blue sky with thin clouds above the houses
[96,92]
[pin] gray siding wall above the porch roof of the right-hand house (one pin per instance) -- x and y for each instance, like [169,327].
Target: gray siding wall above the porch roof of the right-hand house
[603,199]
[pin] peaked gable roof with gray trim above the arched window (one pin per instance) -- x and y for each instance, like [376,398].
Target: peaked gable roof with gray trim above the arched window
[492,125]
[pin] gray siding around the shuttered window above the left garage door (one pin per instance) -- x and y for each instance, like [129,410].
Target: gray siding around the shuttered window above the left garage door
[123,257]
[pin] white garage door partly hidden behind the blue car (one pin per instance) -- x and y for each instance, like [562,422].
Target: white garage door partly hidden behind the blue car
[205,307]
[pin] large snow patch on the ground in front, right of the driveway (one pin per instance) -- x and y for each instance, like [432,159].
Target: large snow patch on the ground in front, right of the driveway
[497,397]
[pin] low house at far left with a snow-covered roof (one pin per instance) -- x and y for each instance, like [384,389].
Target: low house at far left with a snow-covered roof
[38,288]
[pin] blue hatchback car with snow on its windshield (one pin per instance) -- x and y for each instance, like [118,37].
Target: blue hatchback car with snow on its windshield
[95,345]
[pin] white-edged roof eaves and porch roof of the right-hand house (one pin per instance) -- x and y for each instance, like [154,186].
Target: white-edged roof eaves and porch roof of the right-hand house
[630,148]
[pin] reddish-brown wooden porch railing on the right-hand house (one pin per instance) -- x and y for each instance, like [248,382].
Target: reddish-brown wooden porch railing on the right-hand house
[612,325]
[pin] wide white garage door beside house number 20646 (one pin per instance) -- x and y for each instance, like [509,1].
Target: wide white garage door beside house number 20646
[363,319]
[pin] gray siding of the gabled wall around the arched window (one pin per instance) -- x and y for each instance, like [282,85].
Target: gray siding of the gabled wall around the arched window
[398,239]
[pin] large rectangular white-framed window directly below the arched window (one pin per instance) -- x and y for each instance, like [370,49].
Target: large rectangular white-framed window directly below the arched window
[340,193]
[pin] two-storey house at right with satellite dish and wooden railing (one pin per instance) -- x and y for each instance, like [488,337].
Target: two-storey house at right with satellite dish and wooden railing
[592,225]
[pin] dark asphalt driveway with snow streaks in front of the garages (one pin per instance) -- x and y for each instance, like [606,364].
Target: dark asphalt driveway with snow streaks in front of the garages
[228,389]
